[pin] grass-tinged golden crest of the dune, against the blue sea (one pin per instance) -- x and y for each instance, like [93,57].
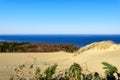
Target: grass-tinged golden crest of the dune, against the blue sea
[102,46]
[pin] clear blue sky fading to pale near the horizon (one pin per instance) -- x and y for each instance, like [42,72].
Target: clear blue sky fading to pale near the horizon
[59,16]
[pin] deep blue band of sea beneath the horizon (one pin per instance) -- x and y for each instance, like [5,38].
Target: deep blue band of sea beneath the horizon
[76,39]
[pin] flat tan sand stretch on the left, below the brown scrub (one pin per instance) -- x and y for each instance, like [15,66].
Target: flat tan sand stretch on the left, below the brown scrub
[9,60]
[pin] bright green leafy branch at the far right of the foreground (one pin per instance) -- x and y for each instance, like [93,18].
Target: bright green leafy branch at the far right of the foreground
[109,69]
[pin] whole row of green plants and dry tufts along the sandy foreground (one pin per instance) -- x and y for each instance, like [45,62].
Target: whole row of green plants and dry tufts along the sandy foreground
[74,72]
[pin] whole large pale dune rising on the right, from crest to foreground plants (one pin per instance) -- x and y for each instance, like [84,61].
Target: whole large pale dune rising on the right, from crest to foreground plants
[91,56]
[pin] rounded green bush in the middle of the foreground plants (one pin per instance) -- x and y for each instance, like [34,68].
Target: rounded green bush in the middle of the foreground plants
[75,71]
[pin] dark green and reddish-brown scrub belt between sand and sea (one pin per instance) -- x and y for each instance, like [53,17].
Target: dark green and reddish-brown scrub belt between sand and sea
[36,47]
